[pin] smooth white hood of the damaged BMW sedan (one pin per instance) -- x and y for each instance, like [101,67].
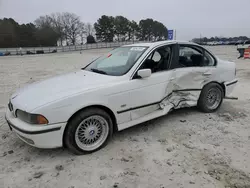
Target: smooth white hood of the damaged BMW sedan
[40,93]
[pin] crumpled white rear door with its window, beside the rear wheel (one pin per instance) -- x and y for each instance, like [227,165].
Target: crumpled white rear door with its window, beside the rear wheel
[190,74]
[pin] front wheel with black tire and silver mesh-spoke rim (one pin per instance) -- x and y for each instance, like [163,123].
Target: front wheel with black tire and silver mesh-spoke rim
[89,125]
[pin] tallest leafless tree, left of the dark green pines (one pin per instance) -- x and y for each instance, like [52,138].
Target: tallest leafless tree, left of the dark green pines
[72,26]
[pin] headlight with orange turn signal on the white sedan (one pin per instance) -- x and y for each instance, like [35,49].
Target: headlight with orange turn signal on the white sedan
[31,118]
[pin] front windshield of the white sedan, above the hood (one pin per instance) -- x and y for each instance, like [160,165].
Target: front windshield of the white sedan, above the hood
[117,62]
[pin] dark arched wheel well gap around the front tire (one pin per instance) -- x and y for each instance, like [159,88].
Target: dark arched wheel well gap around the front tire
[106,109]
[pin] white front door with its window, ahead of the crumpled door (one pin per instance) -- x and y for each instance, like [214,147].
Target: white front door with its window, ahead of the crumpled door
[149,92]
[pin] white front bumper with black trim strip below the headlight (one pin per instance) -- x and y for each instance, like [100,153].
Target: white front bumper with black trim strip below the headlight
[40,136]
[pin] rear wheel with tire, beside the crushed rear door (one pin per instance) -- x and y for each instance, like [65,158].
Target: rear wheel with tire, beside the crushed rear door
[205,102]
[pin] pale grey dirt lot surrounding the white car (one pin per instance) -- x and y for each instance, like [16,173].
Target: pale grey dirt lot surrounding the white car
[183,149]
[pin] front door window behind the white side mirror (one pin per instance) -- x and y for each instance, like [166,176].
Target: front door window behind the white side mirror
[158,60]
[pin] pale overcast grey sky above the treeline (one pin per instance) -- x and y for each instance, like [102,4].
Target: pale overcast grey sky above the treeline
[190,18]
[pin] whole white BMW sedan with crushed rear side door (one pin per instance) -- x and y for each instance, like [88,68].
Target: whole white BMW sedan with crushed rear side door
[129,85]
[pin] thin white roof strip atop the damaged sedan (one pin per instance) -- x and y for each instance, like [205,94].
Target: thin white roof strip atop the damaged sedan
[154,44]
